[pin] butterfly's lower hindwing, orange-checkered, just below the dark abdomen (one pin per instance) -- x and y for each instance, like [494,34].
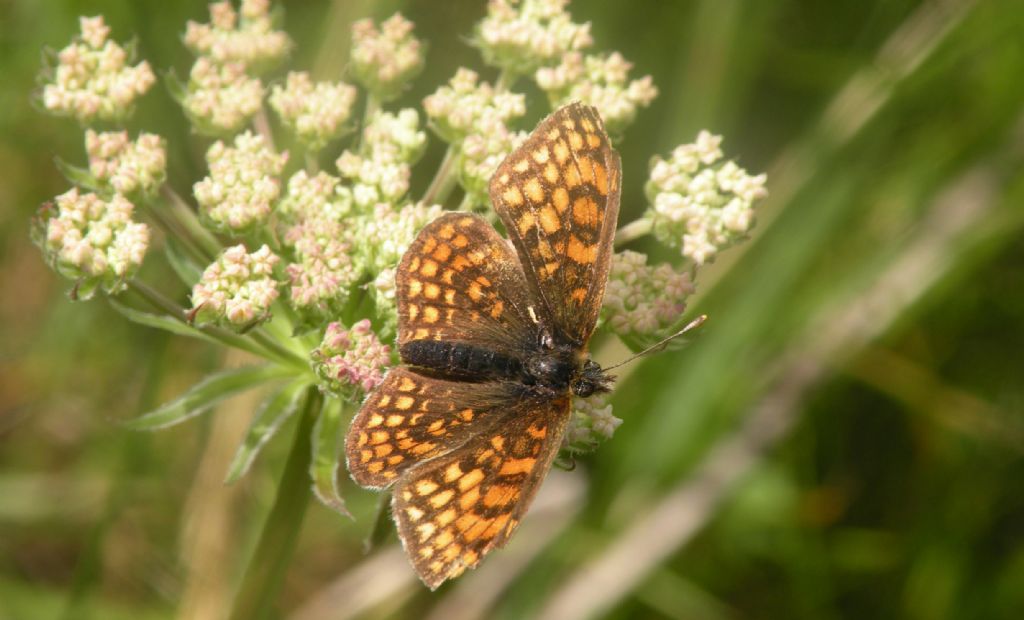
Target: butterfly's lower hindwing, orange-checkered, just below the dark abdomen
[411,419]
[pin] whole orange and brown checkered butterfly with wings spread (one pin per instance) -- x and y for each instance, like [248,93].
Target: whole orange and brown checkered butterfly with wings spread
[493,339]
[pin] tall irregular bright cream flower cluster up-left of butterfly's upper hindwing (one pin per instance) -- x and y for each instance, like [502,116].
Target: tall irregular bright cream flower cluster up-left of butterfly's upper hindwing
[380,173]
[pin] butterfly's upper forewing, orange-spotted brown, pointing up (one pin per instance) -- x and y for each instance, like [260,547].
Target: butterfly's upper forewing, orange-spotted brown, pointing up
[559,198]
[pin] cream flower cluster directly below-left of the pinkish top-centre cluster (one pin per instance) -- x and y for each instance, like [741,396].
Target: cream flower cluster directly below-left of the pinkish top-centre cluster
[315,113]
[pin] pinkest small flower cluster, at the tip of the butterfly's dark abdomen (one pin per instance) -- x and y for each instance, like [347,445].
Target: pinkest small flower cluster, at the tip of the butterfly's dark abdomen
[351,363]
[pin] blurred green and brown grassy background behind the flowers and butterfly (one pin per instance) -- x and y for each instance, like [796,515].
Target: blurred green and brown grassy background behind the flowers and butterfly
[843,440]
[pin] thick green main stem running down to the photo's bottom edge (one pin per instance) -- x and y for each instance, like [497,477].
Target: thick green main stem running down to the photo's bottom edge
[274,551]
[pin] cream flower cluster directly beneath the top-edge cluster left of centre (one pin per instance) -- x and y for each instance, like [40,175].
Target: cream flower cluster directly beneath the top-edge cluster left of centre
[221,99]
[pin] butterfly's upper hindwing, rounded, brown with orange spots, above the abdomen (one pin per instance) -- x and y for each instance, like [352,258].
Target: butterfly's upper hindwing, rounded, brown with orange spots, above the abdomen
[460,281]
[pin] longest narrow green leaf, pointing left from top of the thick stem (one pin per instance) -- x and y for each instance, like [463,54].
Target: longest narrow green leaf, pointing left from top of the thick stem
[208,393]
